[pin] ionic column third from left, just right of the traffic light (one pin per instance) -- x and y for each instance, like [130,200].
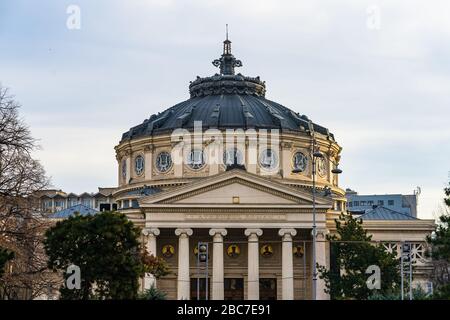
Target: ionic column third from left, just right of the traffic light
[217,276]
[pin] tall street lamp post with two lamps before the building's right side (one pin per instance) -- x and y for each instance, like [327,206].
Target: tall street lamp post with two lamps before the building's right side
[315,154]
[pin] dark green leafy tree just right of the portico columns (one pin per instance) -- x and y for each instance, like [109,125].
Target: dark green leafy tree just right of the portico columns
[352,253]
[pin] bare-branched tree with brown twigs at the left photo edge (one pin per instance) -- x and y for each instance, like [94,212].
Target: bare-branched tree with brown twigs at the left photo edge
[22,224]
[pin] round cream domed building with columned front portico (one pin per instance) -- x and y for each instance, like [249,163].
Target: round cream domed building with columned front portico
[235,171]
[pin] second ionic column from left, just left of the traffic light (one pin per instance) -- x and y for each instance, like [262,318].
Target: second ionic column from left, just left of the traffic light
[183,285]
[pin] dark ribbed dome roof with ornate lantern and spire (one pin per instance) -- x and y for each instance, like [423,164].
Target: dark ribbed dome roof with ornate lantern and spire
[226,101]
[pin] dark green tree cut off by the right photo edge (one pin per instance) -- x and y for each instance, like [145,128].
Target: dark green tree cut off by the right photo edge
[440,252]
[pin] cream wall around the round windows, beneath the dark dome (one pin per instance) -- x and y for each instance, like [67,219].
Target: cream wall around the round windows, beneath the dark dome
[288,144]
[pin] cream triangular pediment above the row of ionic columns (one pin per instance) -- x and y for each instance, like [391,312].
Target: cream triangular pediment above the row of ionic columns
[235,187]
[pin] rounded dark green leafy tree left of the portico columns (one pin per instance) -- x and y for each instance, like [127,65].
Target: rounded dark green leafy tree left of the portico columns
[105,247]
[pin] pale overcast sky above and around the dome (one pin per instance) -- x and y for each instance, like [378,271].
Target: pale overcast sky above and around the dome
[376,73]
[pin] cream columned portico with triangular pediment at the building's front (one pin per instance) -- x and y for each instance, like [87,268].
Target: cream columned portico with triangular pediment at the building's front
[262,232]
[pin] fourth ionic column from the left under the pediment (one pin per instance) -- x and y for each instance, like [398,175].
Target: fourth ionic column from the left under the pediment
[253,263]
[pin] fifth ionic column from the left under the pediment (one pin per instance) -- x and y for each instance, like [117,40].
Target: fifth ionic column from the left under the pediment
[287,267]
